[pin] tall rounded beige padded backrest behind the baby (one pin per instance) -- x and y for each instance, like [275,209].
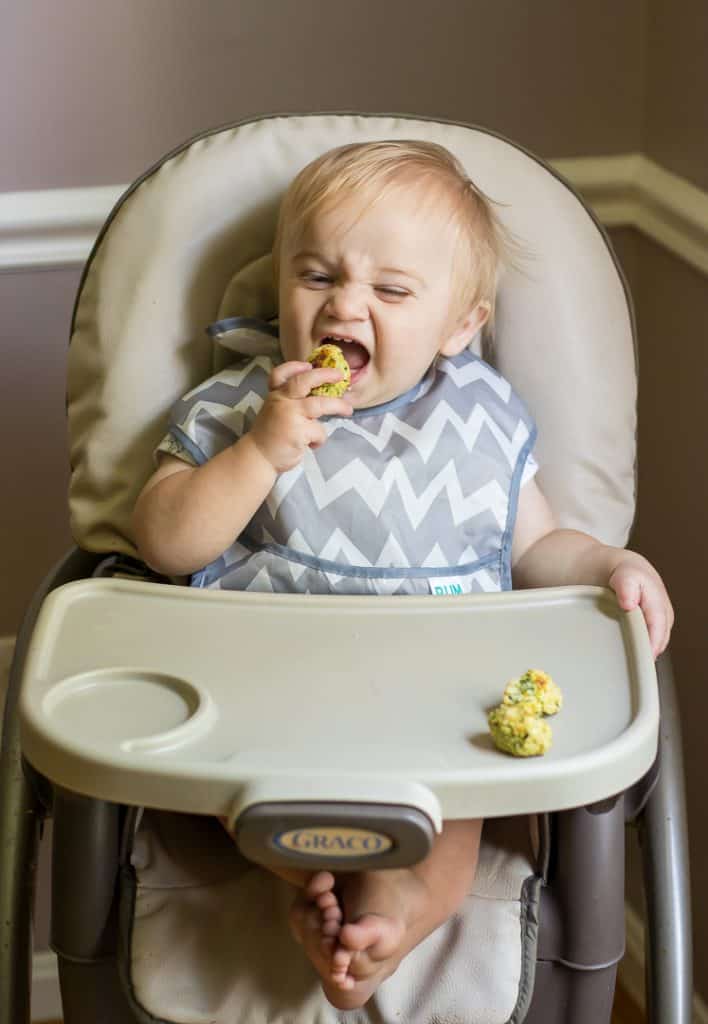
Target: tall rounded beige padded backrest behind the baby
[189,242]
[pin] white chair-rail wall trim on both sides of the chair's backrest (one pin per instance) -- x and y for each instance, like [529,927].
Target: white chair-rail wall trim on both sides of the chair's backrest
[57,228]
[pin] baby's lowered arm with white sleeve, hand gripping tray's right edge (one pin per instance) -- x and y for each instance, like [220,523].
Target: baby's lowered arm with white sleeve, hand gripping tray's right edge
[543,556]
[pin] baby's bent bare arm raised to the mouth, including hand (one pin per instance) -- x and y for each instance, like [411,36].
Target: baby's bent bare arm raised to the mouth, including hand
[187,517]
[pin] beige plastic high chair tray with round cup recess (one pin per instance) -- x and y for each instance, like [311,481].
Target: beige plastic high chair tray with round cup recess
[196,701]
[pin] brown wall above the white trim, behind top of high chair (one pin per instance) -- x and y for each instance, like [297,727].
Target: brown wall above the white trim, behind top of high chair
[92,94]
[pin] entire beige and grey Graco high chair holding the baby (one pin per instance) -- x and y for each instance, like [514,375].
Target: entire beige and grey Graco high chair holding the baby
[130,722]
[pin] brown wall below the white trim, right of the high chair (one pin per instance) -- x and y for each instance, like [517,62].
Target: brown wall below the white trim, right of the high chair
[673,303]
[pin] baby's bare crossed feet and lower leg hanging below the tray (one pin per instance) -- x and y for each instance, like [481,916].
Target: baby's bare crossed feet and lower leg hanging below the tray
[387,915]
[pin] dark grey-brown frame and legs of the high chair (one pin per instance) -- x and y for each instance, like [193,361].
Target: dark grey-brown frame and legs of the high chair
[581,884]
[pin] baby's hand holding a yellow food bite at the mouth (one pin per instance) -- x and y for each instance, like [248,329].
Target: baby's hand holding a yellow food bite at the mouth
[288,423]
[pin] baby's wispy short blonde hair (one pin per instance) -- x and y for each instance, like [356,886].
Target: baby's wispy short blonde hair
[370,172]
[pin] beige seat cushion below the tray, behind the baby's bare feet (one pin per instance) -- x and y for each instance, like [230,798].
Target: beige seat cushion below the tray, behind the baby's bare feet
[207,938]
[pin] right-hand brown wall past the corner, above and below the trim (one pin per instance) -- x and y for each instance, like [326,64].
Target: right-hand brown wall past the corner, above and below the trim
[673,307]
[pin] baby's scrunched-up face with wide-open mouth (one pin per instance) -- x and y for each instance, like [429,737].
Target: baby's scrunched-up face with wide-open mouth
[380,283]
